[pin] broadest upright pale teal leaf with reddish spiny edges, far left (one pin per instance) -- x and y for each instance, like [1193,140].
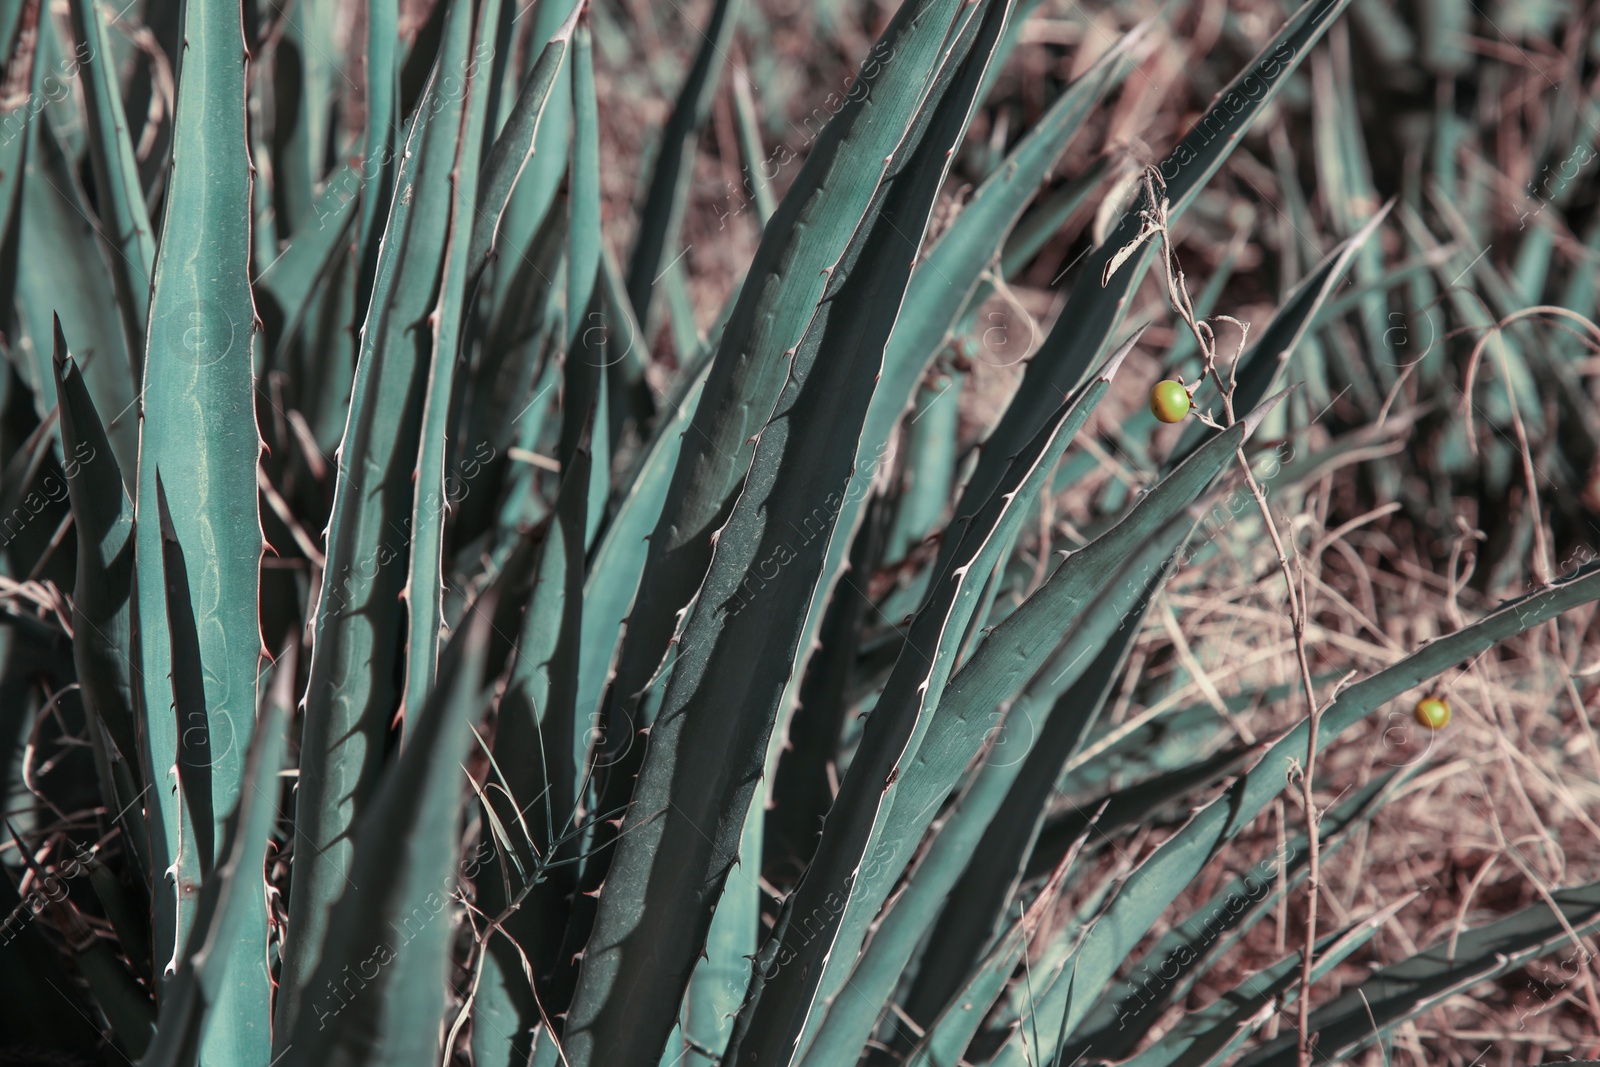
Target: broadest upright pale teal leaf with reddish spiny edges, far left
[201,442]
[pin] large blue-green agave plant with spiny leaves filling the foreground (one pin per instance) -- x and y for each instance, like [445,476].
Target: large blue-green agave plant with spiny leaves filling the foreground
[447,658]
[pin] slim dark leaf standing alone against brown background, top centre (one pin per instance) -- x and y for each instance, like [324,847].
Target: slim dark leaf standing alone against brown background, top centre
[662,215]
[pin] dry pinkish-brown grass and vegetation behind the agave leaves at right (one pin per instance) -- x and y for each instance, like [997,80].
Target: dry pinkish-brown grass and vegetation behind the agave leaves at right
[1396,553]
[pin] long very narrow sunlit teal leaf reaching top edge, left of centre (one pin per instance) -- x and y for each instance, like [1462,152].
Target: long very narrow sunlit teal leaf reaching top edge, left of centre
[426,583]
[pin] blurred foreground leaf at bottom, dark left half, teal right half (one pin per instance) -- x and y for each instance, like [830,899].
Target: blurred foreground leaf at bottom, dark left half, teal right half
[380,989]
